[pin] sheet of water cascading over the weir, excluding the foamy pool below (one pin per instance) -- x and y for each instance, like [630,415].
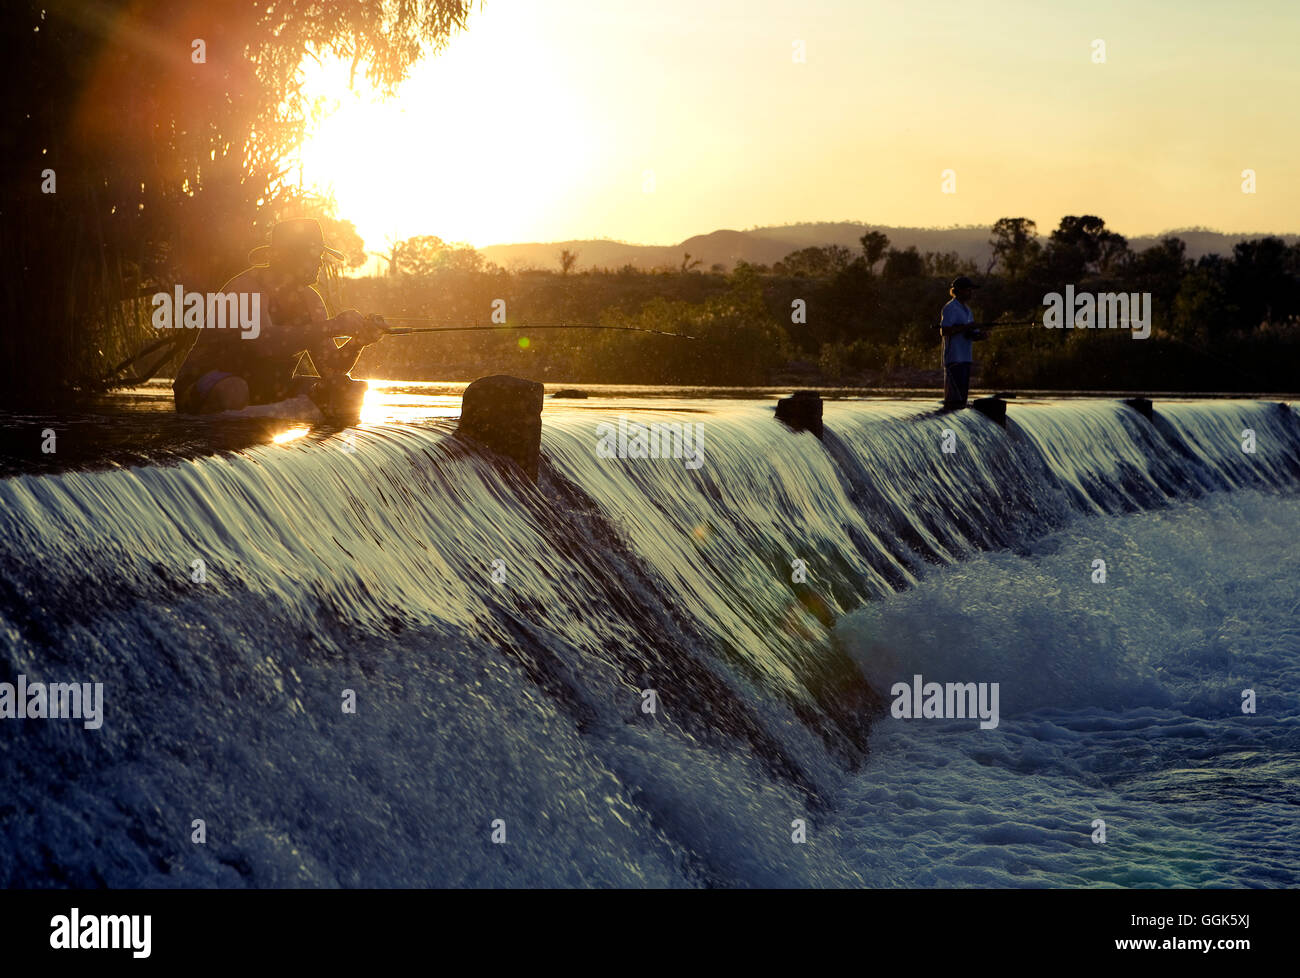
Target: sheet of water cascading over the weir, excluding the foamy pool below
[500,639]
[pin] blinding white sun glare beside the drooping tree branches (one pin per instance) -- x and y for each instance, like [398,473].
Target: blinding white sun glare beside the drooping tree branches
[480,145]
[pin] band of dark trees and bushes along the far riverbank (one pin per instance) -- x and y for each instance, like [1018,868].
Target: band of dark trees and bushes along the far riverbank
[1223,323]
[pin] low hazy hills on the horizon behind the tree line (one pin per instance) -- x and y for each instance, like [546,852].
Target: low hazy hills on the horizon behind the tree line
[766,246]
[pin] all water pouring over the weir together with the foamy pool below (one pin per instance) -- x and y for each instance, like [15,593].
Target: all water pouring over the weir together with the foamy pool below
[500,642]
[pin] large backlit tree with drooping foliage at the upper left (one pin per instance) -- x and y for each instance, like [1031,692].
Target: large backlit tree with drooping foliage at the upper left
[171,161]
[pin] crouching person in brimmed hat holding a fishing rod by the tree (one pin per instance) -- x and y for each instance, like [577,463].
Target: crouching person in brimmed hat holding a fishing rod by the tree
[224,371]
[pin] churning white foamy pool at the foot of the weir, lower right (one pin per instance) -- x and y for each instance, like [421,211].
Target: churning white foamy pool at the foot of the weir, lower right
[1121,702]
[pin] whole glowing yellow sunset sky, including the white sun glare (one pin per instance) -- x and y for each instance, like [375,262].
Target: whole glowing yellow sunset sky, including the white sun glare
[543,120]
